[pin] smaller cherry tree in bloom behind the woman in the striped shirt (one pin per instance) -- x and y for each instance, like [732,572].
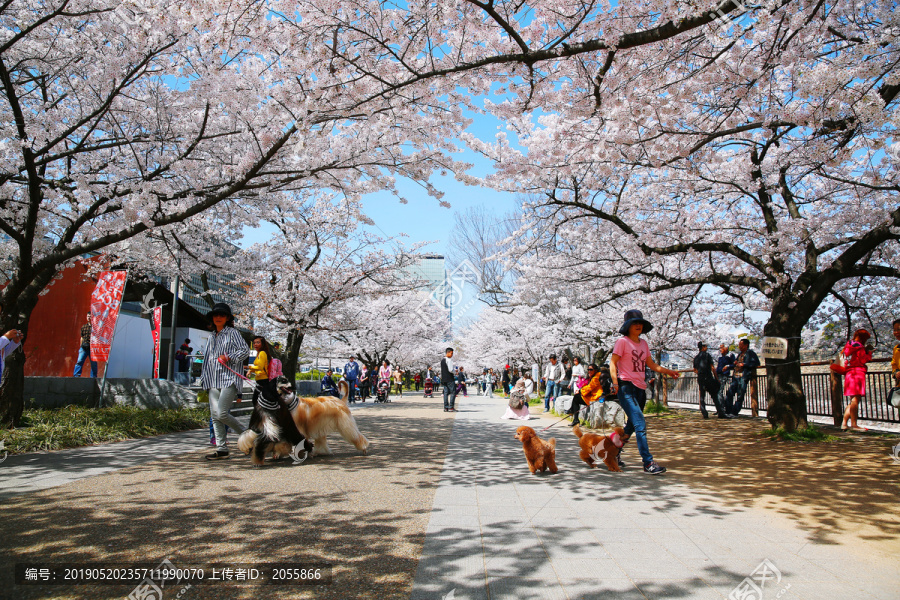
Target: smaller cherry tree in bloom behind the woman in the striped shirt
[320,261]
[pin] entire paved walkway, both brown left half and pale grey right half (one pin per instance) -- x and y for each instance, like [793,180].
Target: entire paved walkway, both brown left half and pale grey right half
[494,531]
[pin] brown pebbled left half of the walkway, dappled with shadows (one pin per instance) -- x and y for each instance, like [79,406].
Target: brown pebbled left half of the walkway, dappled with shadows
[366,515]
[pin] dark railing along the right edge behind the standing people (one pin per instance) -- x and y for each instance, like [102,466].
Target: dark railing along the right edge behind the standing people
[818,388]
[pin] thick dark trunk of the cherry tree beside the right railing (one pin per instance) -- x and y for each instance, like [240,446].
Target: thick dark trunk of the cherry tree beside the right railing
[787,402]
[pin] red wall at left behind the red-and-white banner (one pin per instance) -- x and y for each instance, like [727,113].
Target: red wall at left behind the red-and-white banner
[54,331]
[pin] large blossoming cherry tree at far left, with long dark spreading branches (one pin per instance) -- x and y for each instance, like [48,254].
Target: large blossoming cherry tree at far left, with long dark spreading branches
[122,118]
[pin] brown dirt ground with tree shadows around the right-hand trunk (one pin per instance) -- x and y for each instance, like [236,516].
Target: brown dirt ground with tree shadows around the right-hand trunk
[848,489]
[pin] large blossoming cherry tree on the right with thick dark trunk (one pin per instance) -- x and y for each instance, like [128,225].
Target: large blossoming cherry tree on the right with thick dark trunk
[757,166]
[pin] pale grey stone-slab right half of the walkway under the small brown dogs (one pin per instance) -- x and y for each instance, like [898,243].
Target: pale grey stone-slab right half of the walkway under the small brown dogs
[498,532]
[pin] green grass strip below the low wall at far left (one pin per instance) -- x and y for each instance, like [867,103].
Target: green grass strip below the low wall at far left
[75,426]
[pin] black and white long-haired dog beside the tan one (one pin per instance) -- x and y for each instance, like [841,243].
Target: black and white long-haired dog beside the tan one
[272,428]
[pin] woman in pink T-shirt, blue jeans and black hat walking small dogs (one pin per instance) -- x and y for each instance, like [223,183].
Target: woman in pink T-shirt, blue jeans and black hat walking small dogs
[631,355]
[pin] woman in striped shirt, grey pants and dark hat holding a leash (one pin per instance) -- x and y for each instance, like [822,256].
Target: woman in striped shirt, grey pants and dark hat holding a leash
[224,386]
